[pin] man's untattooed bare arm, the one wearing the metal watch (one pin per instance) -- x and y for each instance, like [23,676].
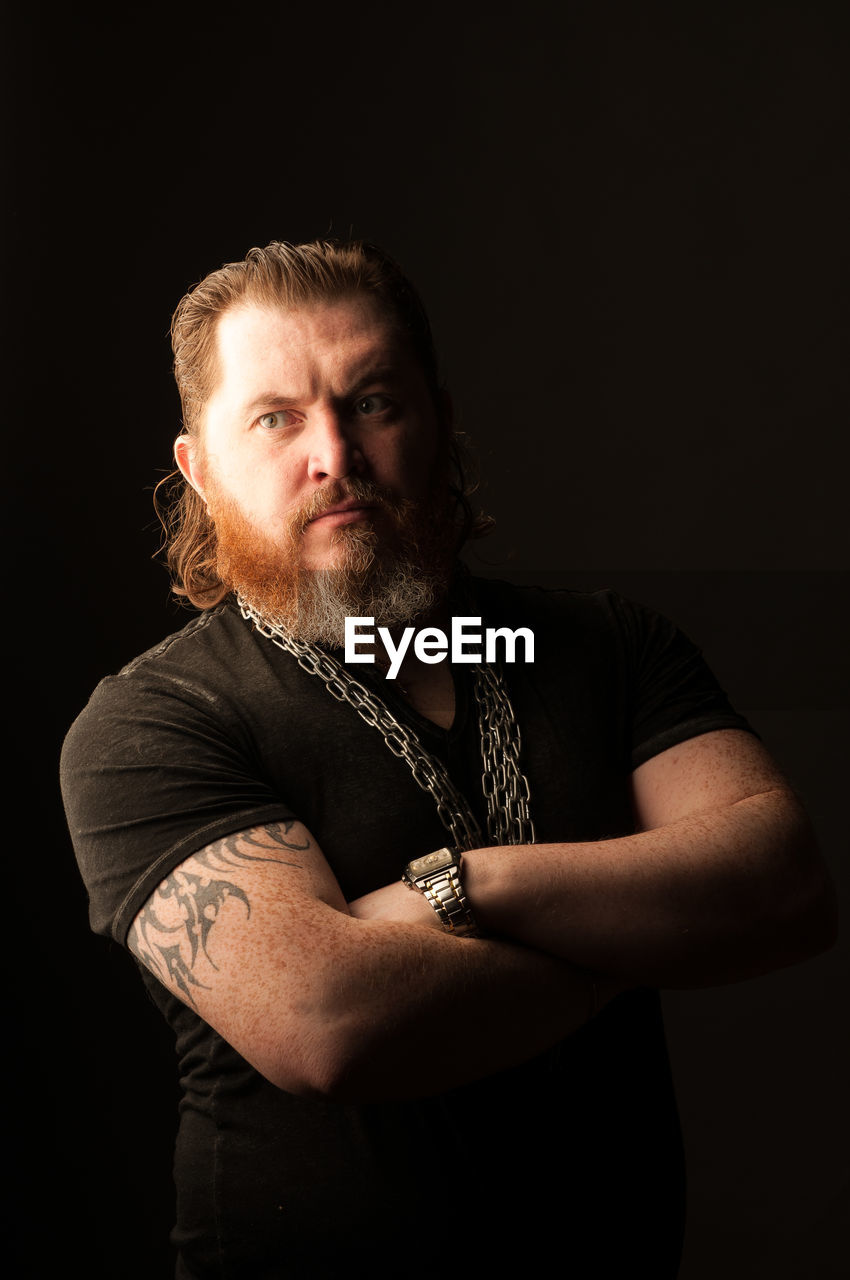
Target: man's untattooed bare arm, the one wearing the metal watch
[723,880]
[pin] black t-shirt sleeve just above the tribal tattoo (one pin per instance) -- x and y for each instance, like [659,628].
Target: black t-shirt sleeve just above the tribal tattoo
[150,775]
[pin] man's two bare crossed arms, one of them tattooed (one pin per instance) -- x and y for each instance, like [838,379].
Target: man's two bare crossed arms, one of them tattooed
[372,1000]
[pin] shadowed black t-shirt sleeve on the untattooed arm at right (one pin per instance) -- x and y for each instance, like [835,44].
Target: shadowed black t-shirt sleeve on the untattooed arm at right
[673,696]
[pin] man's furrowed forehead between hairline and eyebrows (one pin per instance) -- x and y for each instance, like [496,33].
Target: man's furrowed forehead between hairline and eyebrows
[298,350]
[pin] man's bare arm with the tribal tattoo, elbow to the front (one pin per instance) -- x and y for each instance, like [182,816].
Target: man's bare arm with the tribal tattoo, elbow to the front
[255,936]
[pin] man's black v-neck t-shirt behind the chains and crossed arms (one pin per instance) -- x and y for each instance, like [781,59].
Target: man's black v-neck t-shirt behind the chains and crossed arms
[218,730]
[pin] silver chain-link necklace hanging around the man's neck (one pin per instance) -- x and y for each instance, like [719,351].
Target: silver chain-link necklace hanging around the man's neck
[506,789]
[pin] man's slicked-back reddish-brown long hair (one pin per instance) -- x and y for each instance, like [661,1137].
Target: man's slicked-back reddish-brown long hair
[286,276]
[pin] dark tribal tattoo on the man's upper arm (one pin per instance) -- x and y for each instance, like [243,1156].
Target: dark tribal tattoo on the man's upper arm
[188,904]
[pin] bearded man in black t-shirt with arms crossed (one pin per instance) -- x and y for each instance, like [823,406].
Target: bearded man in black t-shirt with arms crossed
[465,1067]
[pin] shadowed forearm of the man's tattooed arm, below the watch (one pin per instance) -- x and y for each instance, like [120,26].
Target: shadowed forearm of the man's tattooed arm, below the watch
[422,1012]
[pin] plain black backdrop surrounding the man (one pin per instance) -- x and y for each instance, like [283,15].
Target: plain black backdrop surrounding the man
[629,223]
